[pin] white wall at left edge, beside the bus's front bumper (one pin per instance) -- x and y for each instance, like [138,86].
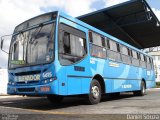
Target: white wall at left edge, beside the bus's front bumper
[3,81]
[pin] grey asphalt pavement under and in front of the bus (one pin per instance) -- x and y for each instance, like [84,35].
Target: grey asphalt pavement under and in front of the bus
[126,106]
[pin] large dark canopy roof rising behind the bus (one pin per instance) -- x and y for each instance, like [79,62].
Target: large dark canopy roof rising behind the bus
[133,22]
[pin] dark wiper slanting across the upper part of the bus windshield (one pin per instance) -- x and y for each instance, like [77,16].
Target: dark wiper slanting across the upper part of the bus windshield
[35,33]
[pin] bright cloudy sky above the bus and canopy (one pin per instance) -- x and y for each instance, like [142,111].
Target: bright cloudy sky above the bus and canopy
[14,12]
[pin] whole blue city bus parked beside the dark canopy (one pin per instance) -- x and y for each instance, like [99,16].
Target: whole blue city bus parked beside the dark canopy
[56,55]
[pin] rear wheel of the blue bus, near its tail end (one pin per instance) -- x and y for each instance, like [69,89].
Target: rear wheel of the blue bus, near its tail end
[142,91]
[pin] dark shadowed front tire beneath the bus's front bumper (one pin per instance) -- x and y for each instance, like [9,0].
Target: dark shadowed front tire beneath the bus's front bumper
[55,99]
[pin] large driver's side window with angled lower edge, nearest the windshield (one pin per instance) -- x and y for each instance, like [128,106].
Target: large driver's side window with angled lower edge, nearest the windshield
[72,48]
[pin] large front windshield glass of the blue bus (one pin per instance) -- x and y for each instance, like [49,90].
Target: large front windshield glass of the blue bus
[32,47]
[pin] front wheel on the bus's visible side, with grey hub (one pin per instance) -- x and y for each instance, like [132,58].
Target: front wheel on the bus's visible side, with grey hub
[94,96]
